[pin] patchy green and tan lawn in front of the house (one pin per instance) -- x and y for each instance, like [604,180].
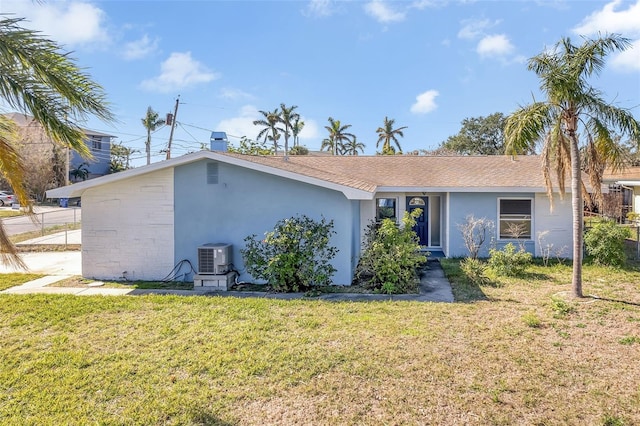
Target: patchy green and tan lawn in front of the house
[502,355]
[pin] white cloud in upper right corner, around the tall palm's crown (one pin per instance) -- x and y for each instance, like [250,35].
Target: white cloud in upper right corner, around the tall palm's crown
[612,20]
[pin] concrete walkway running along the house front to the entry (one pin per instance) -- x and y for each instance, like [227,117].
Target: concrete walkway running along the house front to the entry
[434,287]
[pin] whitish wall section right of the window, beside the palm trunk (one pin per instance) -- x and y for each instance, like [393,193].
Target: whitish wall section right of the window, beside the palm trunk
[557,225]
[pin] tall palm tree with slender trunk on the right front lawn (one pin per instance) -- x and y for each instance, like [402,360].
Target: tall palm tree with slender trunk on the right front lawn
[571,101]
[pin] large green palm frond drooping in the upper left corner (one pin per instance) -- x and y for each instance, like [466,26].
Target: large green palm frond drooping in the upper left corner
[36,77]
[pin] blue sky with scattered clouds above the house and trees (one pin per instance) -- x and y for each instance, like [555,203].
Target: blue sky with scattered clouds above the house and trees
[427,64]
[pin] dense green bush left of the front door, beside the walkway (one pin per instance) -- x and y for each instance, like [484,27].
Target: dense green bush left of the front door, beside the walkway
[391,257]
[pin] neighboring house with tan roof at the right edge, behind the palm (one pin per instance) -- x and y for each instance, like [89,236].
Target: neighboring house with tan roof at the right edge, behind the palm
[624,187]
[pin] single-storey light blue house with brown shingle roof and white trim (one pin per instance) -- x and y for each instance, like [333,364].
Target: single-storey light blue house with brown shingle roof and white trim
[140,223]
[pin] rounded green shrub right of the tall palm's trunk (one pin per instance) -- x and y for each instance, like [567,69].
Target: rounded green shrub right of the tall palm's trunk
[605,243]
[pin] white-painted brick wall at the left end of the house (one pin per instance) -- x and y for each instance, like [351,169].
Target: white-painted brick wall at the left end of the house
[128,228]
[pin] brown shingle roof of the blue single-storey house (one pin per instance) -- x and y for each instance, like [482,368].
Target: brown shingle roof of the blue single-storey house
[374,172]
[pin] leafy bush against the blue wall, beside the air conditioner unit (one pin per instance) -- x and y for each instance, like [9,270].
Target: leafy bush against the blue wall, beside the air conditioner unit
[294,256]
